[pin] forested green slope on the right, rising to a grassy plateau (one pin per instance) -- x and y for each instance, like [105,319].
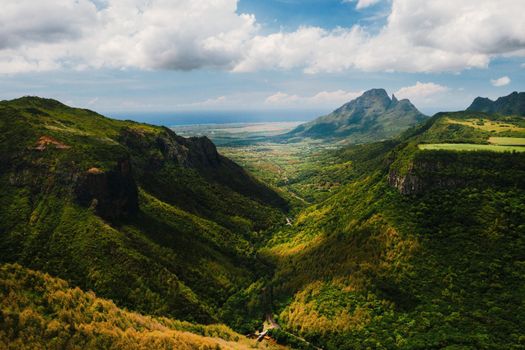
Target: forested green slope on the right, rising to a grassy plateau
[423,249]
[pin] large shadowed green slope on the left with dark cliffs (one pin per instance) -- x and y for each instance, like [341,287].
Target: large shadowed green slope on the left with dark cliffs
[158,223]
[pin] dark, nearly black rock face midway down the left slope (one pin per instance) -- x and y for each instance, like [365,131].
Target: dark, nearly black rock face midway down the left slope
[113,194]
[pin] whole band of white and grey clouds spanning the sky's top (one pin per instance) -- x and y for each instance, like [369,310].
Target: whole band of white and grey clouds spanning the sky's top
[429,36]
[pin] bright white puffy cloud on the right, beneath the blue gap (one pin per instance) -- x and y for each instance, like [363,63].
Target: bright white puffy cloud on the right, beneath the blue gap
[446,35]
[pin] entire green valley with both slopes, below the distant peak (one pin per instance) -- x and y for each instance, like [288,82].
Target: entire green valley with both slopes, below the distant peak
[413,241]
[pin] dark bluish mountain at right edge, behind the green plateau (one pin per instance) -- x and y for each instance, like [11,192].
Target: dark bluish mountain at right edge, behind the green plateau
[513,104]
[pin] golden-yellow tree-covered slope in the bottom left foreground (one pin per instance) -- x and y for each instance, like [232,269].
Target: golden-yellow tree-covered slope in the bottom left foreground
[38,311]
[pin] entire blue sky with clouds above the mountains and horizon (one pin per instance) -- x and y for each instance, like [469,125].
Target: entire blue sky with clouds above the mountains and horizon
[284,59]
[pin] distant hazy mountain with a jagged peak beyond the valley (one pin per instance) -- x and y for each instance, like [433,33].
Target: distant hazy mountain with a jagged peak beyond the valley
[372,116]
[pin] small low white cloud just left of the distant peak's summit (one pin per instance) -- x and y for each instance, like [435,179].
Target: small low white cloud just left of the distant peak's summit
[323,98]
